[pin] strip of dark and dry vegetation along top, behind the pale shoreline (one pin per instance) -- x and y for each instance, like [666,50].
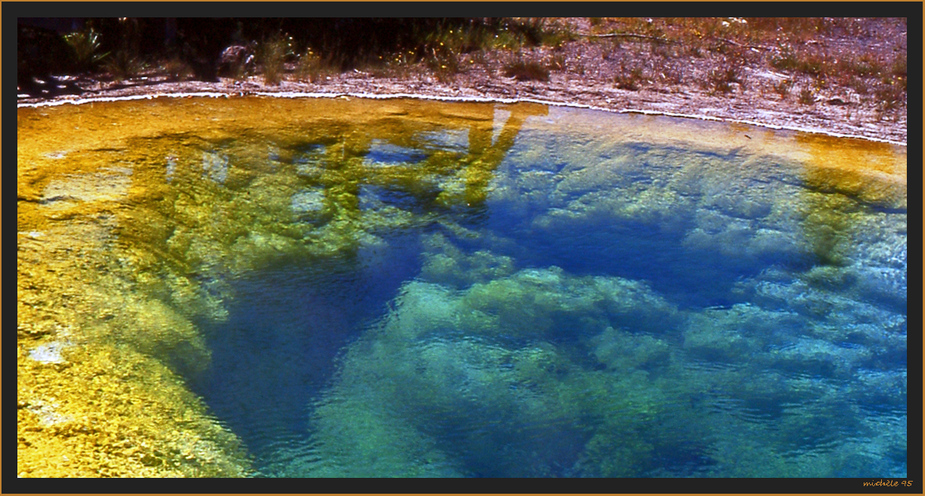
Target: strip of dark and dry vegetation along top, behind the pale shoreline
[709,52]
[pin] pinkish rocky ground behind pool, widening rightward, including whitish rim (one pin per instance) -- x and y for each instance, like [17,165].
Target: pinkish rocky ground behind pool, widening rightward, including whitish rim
[622,73]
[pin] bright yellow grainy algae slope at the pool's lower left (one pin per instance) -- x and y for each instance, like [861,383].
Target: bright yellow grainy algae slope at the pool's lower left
[102,406]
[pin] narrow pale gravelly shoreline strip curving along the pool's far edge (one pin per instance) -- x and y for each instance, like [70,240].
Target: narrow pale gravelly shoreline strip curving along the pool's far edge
[825,119]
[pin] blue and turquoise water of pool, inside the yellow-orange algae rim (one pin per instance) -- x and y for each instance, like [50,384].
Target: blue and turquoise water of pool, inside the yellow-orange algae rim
[531,327]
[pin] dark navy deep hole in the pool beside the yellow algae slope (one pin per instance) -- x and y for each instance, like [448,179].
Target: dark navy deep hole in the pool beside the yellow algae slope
[276,348]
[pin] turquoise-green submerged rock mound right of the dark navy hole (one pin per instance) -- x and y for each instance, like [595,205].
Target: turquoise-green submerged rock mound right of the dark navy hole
[476,363]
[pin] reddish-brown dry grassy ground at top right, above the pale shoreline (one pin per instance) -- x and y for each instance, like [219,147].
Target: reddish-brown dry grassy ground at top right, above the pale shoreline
[828,53]
